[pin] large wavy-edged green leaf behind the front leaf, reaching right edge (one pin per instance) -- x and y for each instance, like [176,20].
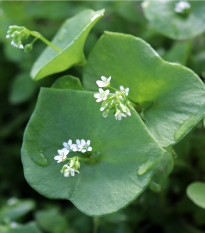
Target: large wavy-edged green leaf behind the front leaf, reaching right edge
[172,96]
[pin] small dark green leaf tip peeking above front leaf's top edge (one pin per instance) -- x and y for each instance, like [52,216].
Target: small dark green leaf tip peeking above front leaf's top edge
[68,82]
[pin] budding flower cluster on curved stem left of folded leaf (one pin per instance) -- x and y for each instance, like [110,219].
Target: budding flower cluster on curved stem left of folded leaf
[18,34]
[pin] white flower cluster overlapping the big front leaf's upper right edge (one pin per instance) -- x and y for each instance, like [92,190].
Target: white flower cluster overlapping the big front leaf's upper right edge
[117,101]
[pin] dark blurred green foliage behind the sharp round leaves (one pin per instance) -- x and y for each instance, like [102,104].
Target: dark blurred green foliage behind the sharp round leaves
[24,210]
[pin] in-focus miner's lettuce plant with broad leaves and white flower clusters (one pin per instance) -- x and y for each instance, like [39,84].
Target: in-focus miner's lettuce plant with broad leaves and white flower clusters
[108,152]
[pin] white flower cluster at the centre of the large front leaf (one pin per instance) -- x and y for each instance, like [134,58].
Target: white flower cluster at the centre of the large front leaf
[73,165]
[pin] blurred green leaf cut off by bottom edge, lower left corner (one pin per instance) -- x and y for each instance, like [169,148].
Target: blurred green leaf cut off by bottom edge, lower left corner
[27,228]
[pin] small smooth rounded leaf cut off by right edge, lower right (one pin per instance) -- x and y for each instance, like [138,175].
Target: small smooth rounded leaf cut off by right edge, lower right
[196,192]
